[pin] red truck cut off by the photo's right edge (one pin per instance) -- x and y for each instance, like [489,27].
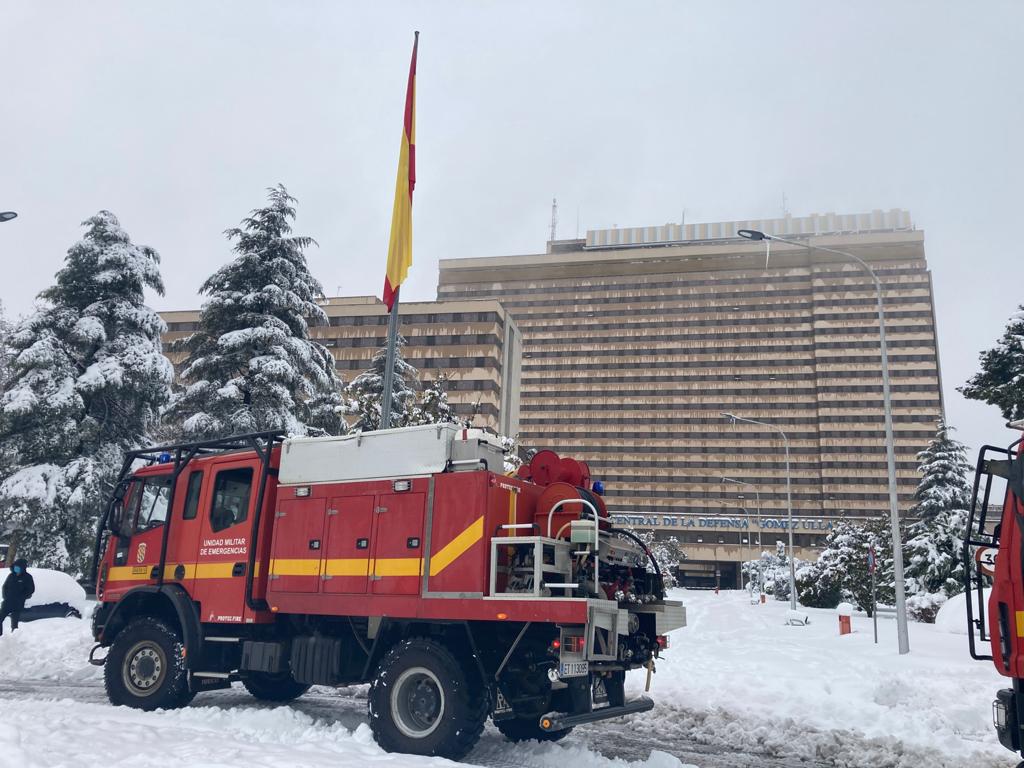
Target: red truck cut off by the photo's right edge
[1000,620]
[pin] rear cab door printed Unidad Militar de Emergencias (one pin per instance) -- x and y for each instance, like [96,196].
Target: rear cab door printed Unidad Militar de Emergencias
[226,516]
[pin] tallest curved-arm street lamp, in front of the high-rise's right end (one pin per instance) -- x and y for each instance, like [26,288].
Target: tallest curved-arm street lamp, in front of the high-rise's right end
[902,629]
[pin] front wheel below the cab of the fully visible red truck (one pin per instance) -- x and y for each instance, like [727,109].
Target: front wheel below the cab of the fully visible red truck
[146,668]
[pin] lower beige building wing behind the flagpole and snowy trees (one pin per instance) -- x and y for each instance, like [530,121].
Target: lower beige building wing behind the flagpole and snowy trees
[476,343]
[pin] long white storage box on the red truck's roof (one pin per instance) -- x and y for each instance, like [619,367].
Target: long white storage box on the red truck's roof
[389,453]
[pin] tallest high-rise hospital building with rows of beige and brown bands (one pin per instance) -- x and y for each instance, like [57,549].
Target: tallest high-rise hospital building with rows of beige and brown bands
[636,340]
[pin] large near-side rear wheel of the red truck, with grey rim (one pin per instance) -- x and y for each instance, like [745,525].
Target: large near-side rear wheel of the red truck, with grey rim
[423,702]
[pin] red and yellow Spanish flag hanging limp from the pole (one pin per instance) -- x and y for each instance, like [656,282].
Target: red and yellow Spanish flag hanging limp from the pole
[400,252]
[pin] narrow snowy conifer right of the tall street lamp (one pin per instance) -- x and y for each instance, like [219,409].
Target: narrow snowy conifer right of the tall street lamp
[934,561]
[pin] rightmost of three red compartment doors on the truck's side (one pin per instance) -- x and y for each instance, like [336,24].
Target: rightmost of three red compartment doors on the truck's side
[398,544]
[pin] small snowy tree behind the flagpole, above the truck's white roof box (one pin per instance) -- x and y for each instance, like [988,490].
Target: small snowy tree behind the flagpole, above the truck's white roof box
[365,392]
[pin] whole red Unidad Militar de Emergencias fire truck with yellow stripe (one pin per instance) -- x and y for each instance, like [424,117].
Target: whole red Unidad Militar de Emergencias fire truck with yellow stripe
[405,559]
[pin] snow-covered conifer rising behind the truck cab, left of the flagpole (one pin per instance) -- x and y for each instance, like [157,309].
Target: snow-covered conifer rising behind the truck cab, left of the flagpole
[251,365]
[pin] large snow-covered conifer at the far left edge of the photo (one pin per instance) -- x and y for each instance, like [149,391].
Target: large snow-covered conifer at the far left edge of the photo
[87,383]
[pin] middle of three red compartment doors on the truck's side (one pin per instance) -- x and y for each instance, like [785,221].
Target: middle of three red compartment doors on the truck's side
[347,551]
